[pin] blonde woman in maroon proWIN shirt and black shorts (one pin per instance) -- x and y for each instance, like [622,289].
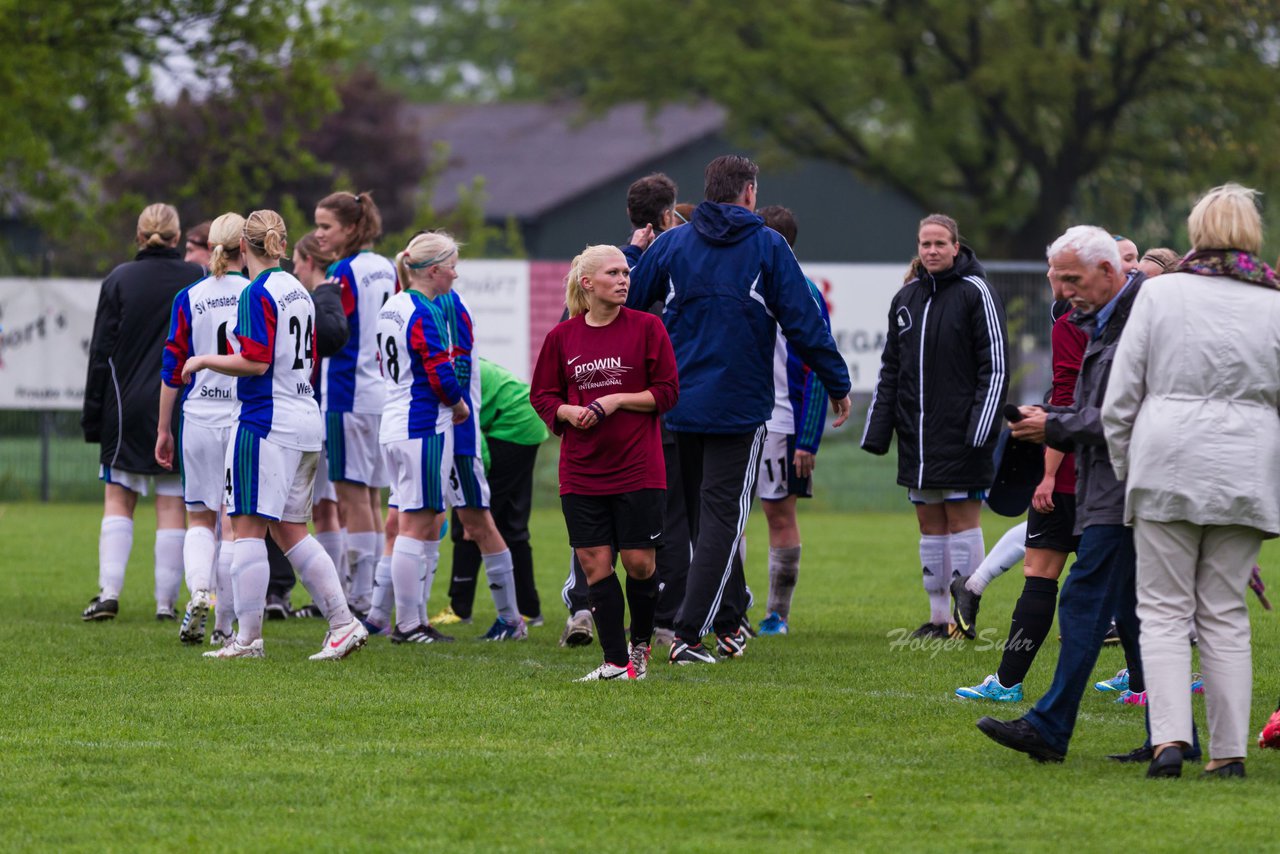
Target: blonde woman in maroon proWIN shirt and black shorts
[601,381]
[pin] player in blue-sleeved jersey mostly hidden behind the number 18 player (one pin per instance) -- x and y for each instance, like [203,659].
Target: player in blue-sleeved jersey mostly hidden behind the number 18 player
[468,487]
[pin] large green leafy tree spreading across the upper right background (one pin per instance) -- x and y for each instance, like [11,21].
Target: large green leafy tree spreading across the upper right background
[1013,116]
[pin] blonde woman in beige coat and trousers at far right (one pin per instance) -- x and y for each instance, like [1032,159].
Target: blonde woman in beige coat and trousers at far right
[1191,418]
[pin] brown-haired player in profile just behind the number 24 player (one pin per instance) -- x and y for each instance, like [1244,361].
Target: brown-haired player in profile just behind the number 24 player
[351,385]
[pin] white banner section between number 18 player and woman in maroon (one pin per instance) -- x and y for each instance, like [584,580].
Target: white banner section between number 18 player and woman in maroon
[497,294]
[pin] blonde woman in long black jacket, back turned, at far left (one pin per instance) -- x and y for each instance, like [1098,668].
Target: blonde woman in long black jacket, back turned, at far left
[122,404]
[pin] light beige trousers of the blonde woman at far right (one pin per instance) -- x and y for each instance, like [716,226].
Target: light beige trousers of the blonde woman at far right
[1185,572]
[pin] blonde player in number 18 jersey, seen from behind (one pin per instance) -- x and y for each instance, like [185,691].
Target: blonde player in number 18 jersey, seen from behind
[424,401]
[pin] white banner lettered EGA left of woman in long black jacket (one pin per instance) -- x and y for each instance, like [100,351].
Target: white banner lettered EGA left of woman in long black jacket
[858,296]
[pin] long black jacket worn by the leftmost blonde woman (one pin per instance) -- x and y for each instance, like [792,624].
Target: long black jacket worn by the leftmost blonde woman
[122,389]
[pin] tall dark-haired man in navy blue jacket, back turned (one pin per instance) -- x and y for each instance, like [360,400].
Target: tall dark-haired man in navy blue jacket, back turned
[728,284]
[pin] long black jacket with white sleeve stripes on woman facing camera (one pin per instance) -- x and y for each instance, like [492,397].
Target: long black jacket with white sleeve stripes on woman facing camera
[943,380]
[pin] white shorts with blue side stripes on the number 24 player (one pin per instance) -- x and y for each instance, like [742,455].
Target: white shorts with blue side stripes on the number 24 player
[269,481]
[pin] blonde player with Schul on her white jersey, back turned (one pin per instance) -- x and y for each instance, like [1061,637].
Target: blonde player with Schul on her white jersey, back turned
[200,323]
